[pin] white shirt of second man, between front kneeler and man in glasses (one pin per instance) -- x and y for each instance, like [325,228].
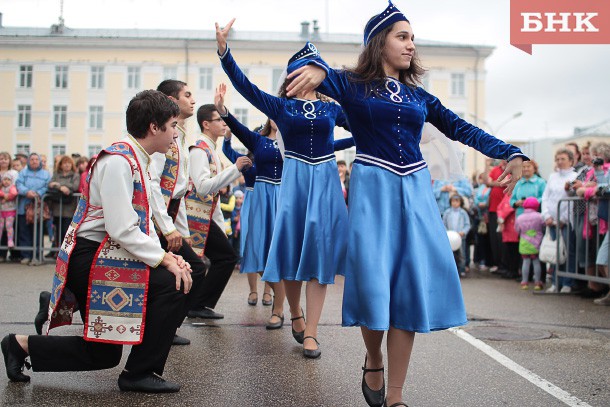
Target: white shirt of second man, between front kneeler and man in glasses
[159,208]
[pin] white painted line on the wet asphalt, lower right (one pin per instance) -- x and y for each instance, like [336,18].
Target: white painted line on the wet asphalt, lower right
[532,377]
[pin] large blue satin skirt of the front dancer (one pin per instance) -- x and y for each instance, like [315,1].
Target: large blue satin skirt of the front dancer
[400,268]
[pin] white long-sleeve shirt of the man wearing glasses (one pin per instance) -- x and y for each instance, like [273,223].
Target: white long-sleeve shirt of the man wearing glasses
[202,176]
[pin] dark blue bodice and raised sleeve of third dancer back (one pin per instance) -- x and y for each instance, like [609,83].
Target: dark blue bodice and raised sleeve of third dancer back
[269,162]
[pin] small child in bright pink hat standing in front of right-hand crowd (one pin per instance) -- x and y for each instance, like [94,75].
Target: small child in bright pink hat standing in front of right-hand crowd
[530,227]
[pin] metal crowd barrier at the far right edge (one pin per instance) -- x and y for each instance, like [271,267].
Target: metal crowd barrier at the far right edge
[582,251]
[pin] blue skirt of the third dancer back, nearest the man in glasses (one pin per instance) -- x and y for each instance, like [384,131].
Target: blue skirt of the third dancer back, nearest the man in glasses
[263,208]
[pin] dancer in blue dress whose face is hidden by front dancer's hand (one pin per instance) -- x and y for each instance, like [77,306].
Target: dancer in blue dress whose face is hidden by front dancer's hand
[309,239]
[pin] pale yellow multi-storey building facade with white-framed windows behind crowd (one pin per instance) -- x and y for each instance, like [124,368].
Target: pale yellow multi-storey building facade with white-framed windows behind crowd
[66,90]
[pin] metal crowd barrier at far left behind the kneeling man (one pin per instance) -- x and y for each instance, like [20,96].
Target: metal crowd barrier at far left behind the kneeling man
[38,247]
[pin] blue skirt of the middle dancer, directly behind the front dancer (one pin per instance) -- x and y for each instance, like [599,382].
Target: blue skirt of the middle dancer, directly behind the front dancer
[310,235]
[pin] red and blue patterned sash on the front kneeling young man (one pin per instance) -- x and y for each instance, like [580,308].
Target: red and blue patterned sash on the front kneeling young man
[118,282]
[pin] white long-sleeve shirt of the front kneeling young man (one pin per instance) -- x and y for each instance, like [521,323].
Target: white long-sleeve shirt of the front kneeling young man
[111,209]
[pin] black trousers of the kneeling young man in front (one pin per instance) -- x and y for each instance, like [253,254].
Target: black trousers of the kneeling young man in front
[164,310]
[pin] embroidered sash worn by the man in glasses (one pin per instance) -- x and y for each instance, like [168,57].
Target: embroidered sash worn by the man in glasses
[199,209]
